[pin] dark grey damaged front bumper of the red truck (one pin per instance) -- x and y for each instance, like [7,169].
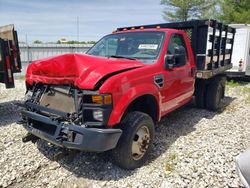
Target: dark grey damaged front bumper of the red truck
[70,136]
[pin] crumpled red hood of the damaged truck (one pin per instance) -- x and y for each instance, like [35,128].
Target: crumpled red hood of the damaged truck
[83,71]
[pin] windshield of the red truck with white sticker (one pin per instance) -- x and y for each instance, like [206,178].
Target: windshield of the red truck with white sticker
[143,45]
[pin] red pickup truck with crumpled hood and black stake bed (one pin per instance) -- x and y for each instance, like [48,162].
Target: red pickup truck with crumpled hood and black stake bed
[112,97]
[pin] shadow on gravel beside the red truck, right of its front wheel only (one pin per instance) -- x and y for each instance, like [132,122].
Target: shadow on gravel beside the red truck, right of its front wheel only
[180,123]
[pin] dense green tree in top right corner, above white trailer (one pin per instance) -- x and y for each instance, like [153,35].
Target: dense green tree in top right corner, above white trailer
[235,11]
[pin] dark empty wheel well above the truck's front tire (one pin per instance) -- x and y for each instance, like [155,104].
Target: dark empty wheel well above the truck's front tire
[146,104]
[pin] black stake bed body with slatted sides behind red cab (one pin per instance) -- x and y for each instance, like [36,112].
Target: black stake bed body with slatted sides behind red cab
[211,41]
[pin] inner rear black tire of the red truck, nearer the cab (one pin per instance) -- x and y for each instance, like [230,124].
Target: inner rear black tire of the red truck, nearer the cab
[200,93]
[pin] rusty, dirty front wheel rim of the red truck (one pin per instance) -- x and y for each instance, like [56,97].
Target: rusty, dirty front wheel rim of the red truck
[140,142]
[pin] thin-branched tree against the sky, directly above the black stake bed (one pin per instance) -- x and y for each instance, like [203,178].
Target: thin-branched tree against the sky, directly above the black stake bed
[180,10]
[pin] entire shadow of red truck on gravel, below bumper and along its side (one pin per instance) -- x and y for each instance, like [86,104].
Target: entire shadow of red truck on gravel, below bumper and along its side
[100,167]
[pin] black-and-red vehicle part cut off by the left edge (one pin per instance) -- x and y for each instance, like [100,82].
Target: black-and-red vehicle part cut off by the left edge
[10,62]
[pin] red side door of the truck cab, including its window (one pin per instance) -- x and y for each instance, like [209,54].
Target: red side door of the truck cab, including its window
[178,79]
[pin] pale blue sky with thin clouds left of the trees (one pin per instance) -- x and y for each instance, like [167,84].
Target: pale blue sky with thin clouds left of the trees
[50,20]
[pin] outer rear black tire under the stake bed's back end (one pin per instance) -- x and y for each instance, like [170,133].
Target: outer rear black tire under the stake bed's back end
[215,93]
